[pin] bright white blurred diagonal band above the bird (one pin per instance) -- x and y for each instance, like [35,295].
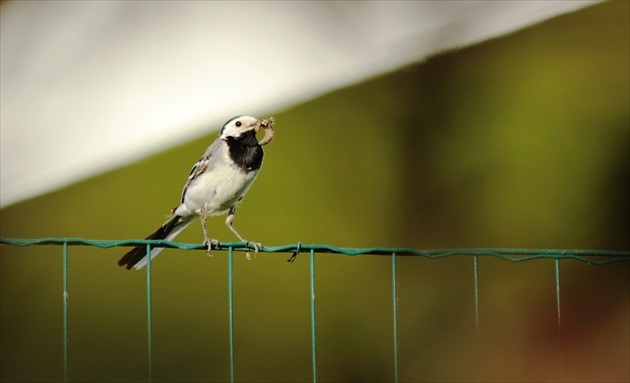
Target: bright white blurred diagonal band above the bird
[90,86]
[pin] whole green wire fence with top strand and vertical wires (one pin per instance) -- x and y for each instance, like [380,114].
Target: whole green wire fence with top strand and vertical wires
[593,257]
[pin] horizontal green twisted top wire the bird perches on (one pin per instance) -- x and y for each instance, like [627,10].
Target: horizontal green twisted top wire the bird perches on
[511,255]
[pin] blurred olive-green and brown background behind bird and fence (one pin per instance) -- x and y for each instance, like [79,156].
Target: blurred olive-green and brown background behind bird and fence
[522,141]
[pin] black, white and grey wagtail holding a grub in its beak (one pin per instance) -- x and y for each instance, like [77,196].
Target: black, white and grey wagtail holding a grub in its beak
[216,184]
